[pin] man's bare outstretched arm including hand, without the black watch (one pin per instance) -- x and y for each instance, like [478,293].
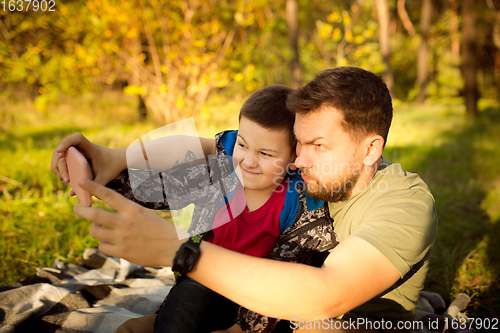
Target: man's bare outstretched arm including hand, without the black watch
[353,273]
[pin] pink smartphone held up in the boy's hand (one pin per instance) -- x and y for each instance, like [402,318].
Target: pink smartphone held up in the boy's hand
[78,168]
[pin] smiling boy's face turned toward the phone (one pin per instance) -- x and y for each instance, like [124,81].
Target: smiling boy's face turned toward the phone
[262,155]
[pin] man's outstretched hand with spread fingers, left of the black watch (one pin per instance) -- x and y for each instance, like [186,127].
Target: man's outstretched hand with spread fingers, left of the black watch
[132,232]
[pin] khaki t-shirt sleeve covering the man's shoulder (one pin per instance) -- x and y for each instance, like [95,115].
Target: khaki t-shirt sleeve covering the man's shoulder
[402,225]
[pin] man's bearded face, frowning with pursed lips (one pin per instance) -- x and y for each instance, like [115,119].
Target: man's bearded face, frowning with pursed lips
[329,159]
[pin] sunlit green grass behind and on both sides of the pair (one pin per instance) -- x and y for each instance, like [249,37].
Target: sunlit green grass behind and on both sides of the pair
[457,157]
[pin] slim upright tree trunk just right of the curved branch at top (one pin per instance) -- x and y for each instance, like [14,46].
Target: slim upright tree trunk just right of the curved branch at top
[422,61]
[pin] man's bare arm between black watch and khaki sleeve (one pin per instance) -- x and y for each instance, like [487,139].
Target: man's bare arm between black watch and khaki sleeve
[354,272]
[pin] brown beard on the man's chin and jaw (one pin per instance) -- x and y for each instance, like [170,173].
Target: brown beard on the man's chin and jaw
[333,190]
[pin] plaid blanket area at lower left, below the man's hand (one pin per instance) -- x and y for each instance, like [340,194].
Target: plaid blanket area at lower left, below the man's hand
[96,295]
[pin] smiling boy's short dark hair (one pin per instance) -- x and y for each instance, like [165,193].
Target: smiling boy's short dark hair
[267,107]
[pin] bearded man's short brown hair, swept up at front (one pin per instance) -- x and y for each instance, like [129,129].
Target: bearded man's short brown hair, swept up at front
[361,96]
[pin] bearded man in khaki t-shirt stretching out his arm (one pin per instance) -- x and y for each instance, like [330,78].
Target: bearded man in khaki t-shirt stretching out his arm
[384,216]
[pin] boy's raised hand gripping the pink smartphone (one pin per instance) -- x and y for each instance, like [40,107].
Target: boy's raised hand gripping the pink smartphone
[106,163]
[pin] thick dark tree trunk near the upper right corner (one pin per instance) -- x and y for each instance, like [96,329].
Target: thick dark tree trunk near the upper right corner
[469,58]
